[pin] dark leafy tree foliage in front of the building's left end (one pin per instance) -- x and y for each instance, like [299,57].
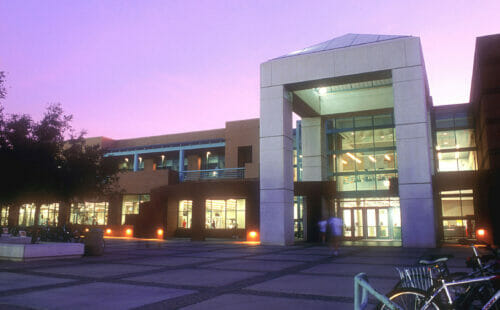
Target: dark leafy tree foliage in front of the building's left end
[40,166]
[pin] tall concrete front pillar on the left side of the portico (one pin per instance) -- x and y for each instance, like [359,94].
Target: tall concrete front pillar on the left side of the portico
[276,167]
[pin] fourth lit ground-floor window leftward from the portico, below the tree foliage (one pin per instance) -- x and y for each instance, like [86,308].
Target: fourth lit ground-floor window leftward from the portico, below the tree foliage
[89,213]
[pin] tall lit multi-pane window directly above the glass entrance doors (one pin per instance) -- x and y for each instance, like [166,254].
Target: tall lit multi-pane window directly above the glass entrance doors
[362,152]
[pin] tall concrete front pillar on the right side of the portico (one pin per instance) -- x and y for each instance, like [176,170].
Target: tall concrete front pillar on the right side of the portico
[418,223]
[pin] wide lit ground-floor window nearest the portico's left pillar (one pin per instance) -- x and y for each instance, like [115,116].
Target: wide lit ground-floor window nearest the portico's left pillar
[225,214]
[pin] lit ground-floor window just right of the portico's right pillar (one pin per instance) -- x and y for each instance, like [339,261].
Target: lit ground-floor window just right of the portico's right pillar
[458,213]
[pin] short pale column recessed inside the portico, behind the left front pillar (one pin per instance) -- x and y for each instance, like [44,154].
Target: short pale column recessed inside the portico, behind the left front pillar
[313,153]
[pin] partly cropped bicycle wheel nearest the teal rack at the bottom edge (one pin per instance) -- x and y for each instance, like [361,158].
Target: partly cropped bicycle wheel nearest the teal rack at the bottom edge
[410,298]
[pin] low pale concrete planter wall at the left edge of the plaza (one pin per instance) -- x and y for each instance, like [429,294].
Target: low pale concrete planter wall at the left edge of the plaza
[29,252]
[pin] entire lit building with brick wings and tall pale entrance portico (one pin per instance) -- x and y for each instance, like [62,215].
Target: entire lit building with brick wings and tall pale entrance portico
[369,148]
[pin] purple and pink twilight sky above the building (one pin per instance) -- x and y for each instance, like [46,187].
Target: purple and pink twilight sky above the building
[140,68]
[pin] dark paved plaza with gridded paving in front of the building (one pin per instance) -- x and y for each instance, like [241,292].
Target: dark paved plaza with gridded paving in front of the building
[180,274]
